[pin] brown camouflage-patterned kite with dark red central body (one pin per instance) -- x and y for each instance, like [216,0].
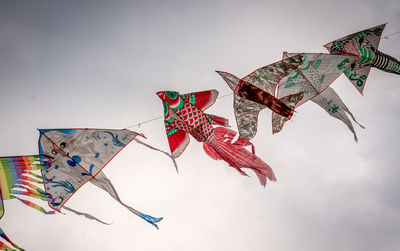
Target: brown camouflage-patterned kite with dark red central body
[256,91]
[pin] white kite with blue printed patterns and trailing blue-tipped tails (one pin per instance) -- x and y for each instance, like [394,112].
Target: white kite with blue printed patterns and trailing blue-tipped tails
[78,156]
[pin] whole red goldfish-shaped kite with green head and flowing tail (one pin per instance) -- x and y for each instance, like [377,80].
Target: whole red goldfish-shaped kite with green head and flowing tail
[184,115]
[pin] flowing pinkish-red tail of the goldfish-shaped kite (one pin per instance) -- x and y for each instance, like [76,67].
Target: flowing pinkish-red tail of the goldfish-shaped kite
[221,147]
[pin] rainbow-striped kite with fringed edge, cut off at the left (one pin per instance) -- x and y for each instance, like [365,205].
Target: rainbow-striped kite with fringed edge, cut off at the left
[18,178]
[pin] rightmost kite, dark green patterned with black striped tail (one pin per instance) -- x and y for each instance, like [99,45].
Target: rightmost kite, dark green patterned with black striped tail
[363,44]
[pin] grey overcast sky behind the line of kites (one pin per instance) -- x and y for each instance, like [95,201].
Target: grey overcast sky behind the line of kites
[98,64]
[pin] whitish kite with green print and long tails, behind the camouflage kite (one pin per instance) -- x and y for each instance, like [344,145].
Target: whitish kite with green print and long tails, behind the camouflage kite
[312,79]
